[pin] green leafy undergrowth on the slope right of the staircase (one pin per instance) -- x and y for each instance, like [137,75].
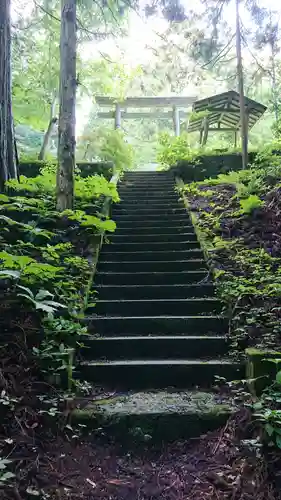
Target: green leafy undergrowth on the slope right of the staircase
[238,221]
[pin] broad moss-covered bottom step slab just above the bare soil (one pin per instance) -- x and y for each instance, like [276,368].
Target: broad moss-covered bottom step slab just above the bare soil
[156,416]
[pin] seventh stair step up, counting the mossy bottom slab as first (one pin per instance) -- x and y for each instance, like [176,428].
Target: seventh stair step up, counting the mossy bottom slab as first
[148,278]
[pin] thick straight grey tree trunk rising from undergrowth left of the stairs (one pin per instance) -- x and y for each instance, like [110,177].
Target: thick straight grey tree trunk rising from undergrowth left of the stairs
[66,144]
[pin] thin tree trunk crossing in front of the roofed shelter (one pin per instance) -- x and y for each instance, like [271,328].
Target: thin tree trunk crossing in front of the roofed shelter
[243,114]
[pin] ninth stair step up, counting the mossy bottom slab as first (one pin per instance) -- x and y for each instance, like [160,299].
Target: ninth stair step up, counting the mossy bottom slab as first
[157,255]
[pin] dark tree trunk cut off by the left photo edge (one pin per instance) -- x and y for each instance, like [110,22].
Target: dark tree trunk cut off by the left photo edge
[8,167]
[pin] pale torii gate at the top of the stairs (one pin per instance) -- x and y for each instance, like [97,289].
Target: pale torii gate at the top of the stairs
[119,110]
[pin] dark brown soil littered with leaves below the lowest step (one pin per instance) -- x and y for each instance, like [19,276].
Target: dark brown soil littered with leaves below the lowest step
[217,466]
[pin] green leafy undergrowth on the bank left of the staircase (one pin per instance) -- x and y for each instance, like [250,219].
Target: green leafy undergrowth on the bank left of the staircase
[46,265]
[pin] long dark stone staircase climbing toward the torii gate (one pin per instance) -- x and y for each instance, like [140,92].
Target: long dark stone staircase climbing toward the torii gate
[156,323]
